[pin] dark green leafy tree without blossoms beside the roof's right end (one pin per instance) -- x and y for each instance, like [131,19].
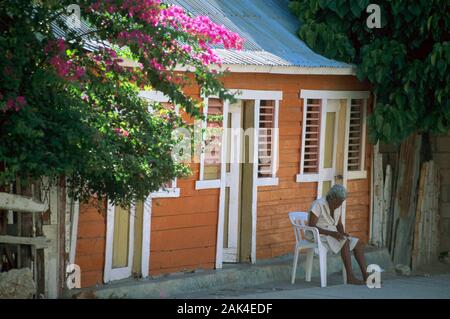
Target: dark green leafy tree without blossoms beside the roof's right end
[407,59]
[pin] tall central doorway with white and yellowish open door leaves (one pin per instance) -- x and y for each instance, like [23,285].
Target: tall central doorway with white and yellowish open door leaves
[237,235]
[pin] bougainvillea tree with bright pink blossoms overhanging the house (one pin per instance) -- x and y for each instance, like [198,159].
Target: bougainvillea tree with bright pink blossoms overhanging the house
[69,102]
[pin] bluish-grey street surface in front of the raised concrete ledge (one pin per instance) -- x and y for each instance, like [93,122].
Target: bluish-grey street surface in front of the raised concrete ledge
[430,283]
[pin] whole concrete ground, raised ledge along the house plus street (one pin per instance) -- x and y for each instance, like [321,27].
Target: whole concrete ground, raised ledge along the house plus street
[270,279]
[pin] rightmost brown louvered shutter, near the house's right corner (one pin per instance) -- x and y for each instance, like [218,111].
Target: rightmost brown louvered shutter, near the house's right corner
[355,135]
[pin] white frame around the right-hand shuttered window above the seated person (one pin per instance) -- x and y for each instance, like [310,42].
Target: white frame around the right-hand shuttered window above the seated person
[324,95]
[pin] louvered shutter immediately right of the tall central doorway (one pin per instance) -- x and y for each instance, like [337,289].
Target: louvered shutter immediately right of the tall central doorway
[266,138]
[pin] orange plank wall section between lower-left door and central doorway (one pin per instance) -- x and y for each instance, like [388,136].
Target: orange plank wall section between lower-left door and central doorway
[184,229]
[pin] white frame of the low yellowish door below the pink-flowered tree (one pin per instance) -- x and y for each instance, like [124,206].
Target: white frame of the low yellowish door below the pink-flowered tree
[124,272]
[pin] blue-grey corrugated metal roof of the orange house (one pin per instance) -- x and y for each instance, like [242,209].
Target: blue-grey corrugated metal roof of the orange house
[267,26]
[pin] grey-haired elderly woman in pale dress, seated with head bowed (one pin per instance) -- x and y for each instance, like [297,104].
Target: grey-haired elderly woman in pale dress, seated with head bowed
[325,215]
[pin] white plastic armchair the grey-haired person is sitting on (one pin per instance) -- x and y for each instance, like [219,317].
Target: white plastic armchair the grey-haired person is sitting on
[299,221]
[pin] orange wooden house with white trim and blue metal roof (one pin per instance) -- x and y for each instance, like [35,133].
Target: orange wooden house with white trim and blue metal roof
[310,118]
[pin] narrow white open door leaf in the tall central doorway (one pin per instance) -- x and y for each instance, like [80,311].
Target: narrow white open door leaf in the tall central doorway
[232,181]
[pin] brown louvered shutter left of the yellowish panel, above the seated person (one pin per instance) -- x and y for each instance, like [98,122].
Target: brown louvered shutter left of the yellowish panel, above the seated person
[311,141]
